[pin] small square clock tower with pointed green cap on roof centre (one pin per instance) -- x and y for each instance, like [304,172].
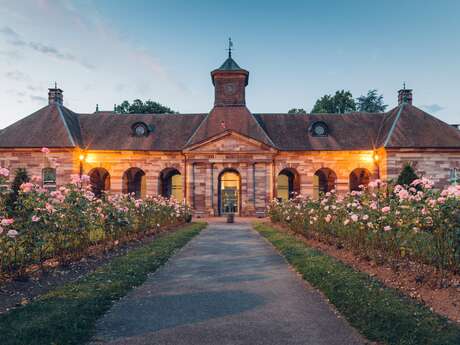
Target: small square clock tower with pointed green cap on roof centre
[229,81]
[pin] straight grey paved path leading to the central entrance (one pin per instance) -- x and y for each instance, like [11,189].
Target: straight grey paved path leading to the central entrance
[227,286]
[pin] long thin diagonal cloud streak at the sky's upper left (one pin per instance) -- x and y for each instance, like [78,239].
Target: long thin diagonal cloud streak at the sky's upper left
[15,39]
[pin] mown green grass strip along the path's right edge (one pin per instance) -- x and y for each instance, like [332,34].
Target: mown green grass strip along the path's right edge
[381,314]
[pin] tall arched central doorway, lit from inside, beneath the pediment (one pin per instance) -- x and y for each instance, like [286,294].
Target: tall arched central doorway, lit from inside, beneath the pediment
[229,191]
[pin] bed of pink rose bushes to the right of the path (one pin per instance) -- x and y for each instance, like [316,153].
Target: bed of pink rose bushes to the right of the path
[387,224]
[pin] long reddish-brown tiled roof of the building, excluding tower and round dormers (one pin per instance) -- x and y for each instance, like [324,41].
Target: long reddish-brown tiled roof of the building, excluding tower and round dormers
[405,126]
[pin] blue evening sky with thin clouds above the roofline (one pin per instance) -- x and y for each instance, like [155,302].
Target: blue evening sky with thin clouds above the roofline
[106,51]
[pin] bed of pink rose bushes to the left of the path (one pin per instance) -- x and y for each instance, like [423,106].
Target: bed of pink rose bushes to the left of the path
[65,223]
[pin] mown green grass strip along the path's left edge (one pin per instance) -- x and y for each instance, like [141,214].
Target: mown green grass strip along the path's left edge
[68,314]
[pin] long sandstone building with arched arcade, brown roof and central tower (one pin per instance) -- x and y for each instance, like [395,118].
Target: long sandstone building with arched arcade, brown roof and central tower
[229,160]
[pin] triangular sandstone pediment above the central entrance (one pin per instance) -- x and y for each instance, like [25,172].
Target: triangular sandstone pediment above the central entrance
[230,142]
